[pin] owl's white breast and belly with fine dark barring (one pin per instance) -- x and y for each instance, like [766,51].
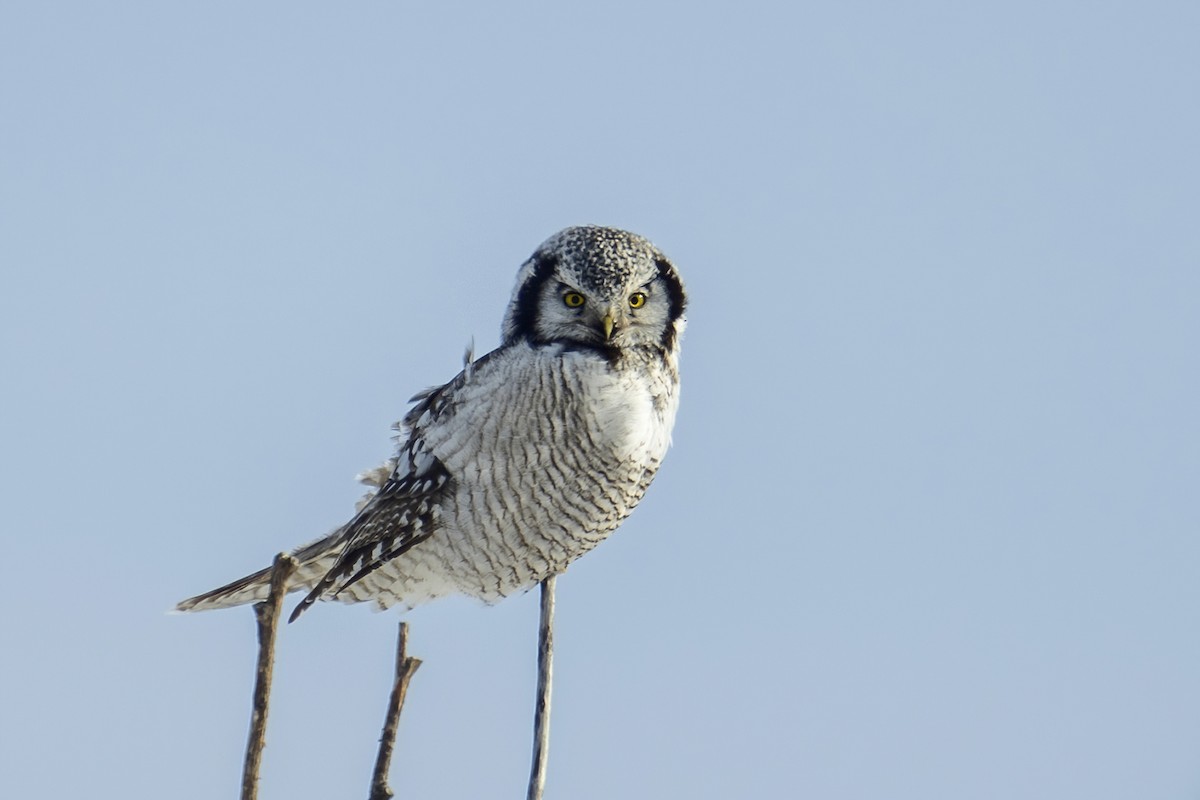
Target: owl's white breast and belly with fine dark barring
[548,452]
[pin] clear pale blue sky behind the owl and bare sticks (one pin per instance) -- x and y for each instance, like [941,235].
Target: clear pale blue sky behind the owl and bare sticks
[932,524]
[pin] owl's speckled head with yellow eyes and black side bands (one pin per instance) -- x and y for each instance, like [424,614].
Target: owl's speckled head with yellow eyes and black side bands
[599,288]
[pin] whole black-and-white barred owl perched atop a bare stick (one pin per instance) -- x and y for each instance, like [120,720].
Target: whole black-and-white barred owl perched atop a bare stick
[532,455]
